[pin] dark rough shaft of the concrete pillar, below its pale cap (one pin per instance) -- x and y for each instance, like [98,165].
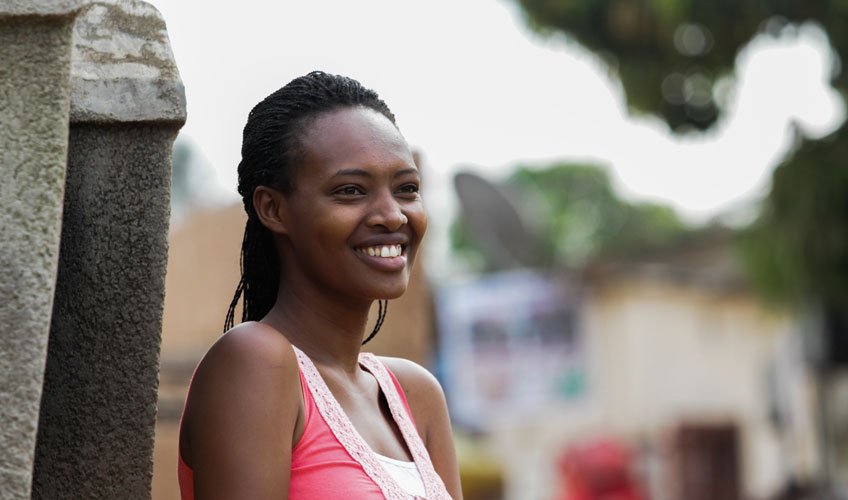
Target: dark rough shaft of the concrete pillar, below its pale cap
[95,437]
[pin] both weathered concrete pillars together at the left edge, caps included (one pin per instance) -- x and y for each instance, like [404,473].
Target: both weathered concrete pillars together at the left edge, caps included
[84,243]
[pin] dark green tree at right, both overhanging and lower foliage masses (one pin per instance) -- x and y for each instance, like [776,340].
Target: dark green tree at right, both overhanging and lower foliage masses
[669,54]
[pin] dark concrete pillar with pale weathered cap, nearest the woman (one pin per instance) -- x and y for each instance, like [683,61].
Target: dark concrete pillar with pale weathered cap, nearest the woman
[95,435]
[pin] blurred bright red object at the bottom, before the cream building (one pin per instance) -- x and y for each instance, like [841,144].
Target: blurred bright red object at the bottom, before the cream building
[599,469]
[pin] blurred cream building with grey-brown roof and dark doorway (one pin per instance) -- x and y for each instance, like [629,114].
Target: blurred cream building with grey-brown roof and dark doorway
[685,361]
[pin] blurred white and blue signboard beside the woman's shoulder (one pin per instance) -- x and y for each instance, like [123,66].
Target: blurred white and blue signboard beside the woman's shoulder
[509,346]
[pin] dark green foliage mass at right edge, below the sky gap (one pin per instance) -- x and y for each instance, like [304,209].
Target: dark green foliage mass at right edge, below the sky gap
[799,245]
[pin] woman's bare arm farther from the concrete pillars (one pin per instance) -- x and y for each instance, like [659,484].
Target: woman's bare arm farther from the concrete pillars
[430,411]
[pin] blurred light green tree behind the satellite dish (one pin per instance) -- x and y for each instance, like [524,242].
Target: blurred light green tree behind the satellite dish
[577,218]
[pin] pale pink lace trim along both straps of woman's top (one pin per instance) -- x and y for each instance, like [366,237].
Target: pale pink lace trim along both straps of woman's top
[353,442]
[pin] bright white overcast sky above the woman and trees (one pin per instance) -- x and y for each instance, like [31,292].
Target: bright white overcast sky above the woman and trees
[473,87]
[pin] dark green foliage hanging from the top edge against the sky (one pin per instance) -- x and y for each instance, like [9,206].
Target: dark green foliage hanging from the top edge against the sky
[670,53]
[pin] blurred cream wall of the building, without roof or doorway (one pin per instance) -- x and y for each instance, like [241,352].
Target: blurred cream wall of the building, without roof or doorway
[669,353]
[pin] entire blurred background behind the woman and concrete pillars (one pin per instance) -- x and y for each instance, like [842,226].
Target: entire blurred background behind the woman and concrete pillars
[635,283]
